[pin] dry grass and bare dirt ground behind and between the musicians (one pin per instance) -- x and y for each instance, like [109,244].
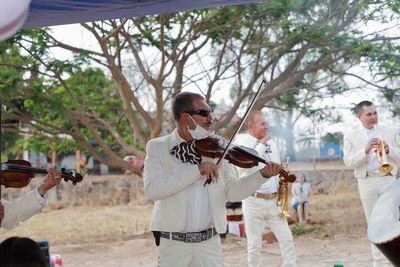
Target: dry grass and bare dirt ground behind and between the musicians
[118,235]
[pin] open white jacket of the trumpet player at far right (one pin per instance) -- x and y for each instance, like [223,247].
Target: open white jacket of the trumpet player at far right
[354,149]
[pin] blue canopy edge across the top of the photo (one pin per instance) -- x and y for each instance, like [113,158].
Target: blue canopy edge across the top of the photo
[57,12]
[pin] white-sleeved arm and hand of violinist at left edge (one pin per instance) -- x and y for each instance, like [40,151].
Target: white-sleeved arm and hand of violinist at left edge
[13,212]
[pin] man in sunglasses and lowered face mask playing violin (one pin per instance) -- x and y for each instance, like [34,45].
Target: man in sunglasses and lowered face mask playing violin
[188,215]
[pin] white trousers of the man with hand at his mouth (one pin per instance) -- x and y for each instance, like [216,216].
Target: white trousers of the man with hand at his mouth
[257,213]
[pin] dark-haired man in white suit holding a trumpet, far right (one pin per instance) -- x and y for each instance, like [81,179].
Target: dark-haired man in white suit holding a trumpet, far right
[360,145]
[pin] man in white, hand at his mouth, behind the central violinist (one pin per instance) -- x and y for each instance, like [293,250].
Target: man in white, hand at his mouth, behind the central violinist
[261,207]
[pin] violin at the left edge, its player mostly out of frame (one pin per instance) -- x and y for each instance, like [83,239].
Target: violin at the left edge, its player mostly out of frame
[18,173]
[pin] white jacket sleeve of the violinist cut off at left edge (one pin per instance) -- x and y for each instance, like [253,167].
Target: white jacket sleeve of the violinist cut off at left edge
[20,209]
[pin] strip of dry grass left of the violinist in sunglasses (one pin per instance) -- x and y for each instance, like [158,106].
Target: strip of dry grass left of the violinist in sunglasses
[86,223]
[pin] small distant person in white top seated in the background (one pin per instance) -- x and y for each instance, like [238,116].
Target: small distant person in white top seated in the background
[300,198]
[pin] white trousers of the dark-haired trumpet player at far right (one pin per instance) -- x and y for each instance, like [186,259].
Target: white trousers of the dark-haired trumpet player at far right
[370,189]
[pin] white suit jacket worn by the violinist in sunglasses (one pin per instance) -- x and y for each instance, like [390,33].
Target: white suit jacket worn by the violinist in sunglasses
[166,181]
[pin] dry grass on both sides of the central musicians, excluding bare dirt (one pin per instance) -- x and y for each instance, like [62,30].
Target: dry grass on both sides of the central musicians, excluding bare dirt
[337,213]
